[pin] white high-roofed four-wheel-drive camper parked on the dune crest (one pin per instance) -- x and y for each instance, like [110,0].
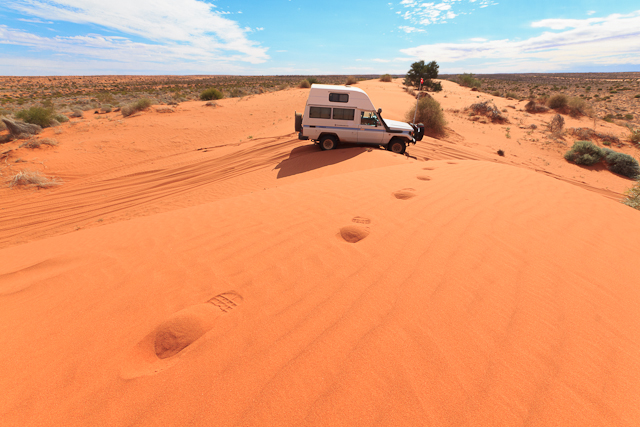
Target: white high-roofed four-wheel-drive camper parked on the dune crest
[337,114]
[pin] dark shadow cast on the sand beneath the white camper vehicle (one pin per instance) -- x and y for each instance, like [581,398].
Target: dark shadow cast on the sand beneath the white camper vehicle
[309,157]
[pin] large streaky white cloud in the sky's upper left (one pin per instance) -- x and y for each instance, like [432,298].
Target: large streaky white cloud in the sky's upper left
[189,28]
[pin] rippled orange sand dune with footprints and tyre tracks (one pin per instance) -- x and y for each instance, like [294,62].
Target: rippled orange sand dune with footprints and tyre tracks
[200,265]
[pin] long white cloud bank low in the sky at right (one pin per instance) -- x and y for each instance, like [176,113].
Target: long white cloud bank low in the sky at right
[604,41]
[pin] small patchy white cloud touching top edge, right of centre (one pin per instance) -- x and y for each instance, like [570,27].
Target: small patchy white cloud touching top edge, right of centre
[438,12]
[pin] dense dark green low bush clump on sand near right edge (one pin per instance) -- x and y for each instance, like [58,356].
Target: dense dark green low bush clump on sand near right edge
[586,153]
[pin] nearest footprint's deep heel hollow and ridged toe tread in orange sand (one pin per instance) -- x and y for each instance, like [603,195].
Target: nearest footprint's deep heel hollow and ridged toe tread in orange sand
[187,325]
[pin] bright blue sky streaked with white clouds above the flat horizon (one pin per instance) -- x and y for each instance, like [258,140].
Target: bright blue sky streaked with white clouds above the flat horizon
[89,37]
